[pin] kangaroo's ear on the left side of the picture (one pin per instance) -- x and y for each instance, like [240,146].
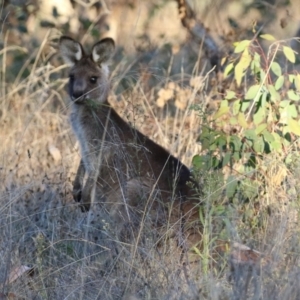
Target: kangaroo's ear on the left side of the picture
[70,50]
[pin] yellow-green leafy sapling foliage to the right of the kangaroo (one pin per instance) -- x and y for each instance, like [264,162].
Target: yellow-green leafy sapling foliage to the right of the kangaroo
[258,117]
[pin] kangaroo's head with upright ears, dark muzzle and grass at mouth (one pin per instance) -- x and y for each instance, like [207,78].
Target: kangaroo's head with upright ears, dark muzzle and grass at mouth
[88,77]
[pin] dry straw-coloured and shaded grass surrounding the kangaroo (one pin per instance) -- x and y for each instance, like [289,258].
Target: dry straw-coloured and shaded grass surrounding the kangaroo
[49,249]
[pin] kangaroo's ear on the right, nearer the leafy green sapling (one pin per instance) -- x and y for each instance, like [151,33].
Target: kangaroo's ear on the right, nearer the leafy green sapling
[103,50]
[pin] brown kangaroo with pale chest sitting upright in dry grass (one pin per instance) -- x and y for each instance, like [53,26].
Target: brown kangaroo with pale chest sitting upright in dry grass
[116,159]
